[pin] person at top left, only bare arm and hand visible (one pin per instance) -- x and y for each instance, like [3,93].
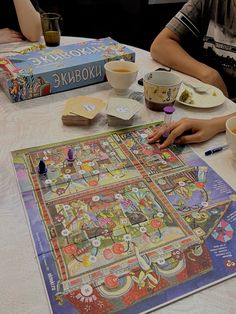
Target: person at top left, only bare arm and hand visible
[20,20]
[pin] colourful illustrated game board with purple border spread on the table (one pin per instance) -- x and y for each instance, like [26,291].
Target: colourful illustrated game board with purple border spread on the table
[122,227]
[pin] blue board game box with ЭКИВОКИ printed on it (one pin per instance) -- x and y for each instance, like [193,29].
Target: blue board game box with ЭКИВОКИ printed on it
[52,70]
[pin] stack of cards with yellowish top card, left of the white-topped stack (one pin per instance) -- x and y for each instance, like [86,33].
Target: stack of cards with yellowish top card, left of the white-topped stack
[81,110]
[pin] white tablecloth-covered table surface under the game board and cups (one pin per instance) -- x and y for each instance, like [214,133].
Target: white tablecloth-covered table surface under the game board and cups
[37,122]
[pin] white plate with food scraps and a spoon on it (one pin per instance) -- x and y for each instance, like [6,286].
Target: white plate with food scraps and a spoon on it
[212,98]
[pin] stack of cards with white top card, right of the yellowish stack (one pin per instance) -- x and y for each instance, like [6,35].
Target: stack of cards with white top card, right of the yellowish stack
[121,111]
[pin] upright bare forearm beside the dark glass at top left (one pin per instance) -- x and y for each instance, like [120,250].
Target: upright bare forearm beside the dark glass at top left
[29,19]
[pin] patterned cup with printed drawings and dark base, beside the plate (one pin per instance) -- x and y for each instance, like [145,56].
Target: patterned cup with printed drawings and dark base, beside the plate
[160,89]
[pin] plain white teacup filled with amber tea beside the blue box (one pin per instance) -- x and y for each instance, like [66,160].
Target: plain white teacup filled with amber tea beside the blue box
[121,75]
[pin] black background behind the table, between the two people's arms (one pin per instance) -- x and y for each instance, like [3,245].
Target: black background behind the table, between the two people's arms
[132,22]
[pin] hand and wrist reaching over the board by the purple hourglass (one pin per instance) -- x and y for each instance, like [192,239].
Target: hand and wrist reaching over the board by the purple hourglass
[186,130]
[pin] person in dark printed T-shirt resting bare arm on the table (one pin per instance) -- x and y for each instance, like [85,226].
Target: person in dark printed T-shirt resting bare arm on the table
[201,41]
